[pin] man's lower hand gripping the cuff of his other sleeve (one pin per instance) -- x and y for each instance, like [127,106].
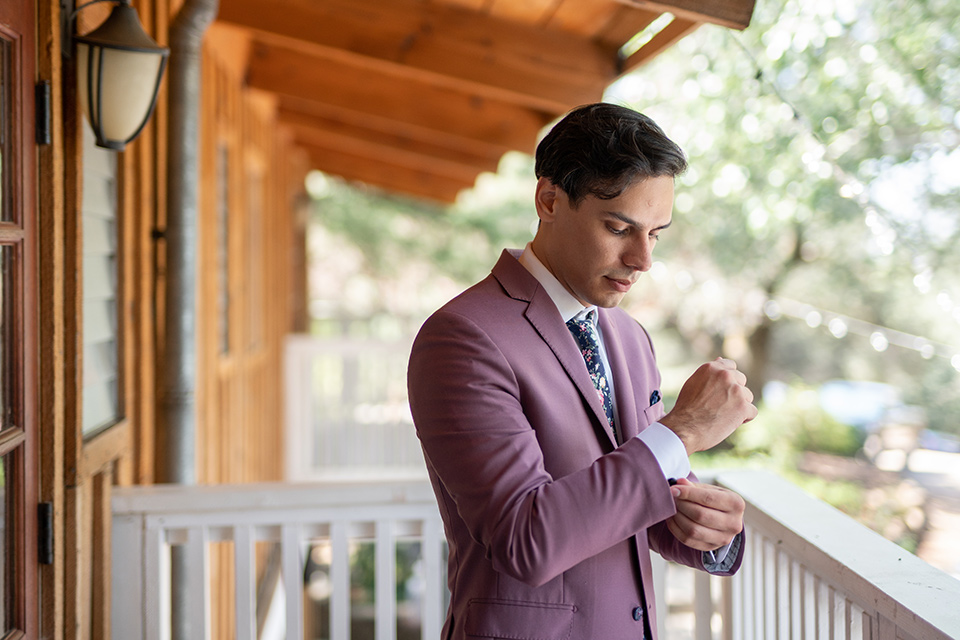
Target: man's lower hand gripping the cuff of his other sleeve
[708,517]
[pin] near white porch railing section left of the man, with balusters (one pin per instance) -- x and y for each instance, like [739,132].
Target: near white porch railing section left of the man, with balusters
[148,521]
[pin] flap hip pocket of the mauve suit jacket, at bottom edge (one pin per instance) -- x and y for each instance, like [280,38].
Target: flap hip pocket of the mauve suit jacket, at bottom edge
[519,620]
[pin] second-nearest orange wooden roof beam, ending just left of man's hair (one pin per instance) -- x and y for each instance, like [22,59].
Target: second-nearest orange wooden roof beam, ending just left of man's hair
[291,73]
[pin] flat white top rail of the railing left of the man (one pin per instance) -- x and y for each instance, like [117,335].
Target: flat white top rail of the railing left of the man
[279,496]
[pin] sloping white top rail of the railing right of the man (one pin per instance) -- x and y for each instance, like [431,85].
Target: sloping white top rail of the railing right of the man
[908,591]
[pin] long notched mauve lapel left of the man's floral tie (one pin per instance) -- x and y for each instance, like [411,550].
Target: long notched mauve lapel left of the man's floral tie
[542,314]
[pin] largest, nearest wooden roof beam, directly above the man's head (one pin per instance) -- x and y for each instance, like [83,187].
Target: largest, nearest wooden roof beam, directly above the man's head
[495,58]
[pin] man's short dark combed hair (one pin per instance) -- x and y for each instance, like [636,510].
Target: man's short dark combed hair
[601,149]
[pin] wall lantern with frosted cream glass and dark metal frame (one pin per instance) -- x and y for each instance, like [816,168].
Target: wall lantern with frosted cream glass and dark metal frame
[119,68]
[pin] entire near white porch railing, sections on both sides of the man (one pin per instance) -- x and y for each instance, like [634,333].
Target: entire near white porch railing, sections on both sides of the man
[810,572]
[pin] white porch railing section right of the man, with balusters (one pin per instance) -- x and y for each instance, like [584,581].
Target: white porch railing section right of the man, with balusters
[813,572]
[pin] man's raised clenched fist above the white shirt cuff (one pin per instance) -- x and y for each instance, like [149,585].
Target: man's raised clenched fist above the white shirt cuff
[712,403]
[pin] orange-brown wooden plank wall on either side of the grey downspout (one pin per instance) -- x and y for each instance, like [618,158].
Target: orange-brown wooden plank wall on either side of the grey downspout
[240,392]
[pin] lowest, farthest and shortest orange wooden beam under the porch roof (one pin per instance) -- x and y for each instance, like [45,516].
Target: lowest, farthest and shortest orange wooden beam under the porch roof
[387,176]
